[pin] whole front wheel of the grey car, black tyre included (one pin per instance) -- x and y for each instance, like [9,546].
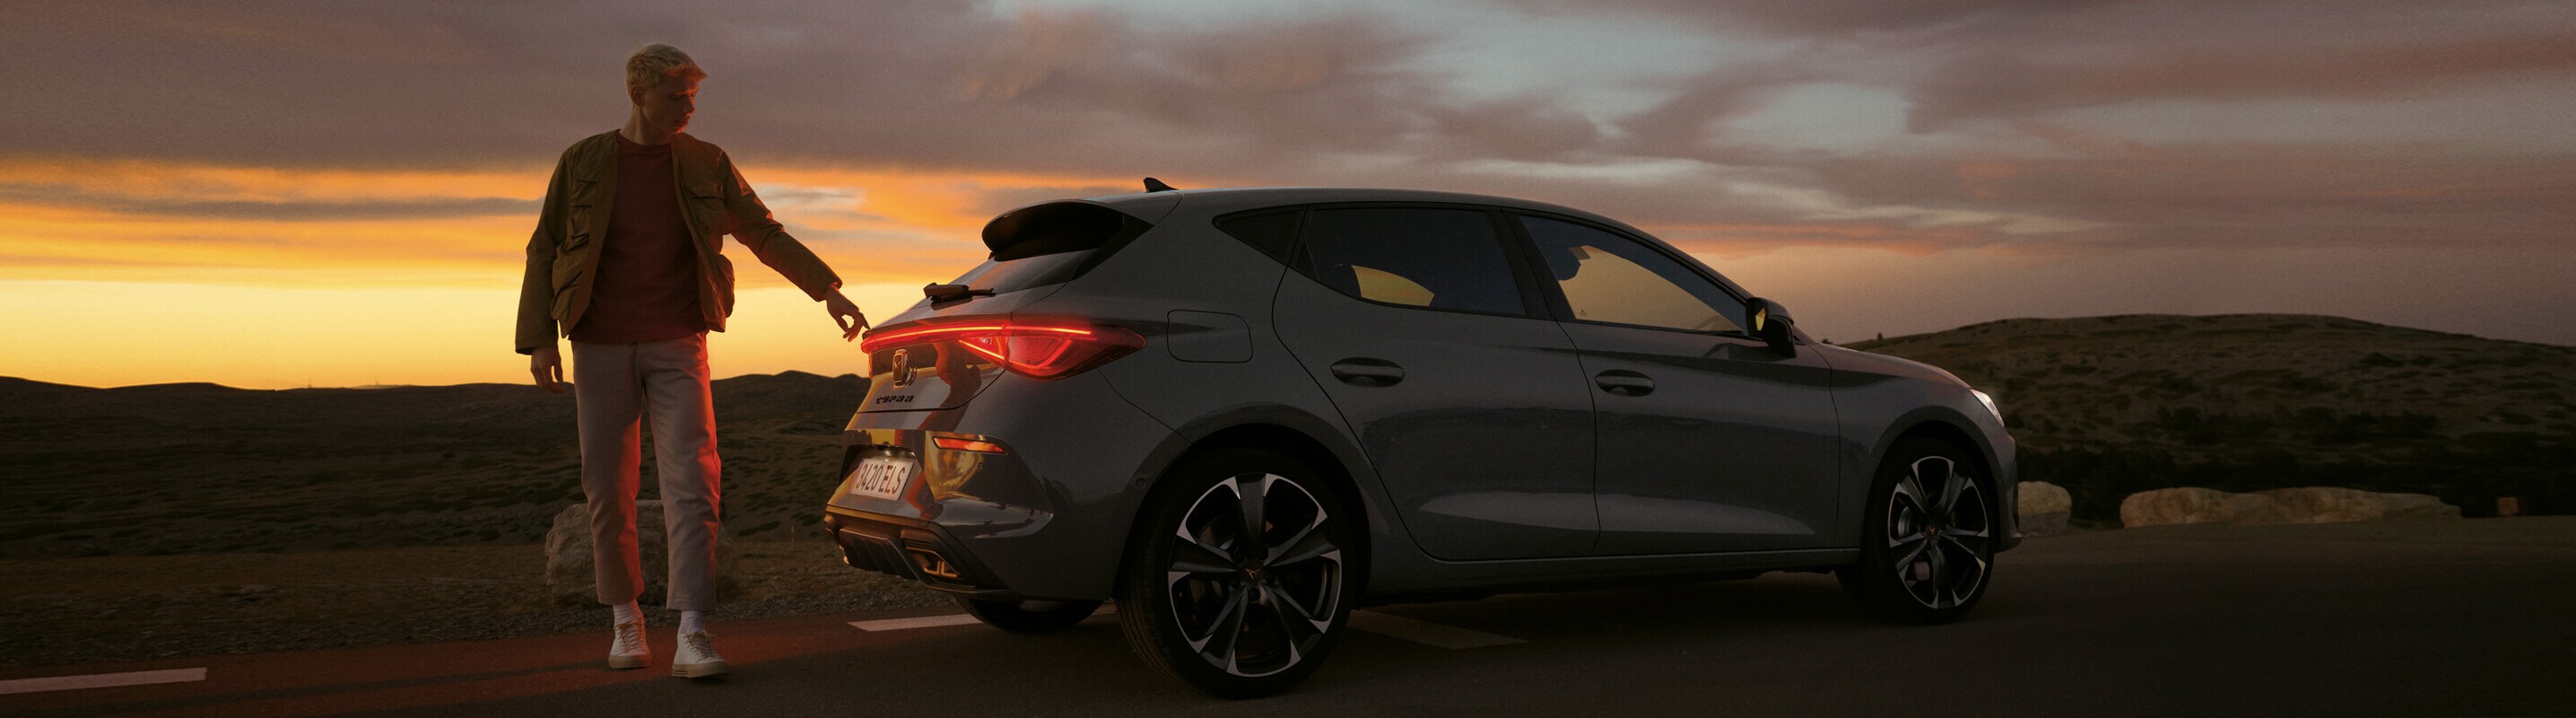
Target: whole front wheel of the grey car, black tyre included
[1928,537]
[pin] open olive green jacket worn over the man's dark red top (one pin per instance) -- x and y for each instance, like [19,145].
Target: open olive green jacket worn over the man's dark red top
[715,199]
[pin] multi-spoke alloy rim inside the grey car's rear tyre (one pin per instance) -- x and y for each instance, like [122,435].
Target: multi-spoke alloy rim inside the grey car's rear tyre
[1256,578]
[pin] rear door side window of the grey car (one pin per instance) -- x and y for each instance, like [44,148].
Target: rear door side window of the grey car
[1441,259]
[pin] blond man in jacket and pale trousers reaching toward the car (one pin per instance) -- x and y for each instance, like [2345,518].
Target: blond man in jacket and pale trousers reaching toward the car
[627,264]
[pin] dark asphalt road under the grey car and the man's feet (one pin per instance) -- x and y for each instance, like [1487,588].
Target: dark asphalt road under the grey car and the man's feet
[2430,619]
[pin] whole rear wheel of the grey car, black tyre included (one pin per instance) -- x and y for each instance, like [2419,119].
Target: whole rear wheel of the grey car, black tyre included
[1261,624]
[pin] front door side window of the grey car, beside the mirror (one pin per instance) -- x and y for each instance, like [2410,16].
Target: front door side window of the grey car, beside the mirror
[1622,282]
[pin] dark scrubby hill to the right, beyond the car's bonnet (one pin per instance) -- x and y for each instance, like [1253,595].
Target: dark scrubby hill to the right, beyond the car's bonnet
[2271,400]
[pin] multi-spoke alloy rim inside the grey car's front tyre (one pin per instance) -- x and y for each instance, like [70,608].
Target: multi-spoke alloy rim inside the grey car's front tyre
[1938,534]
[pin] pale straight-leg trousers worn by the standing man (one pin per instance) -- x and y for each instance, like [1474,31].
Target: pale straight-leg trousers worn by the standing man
[617,387]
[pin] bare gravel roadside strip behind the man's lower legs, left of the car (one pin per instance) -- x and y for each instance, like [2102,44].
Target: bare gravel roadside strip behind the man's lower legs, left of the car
[122,609]
